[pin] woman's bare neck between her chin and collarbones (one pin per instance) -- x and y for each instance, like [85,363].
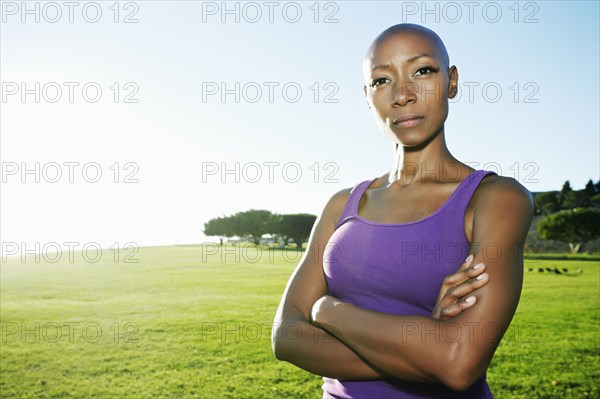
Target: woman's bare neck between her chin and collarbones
[423,162]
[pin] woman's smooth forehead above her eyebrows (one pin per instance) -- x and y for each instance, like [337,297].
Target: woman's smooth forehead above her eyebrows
[398,46]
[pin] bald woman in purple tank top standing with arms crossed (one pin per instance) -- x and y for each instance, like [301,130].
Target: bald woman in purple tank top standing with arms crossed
[377,305]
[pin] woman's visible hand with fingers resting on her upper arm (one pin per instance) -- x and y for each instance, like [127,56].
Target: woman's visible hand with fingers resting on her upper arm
[454,293]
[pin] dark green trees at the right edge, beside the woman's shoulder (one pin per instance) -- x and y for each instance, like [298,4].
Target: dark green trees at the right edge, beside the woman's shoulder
[571,216]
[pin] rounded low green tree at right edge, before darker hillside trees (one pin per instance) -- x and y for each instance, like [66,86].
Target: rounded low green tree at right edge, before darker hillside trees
[575,227]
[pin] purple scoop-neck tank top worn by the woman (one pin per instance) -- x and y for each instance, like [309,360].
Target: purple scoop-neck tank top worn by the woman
[398,269]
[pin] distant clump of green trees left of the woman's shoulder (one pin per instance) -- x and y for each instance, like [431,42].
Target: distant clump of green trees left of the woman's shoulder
[254,223]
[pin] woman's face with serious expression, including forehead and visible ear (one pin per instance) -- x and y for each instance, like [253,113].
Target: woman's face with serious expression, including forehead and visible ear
[408,84]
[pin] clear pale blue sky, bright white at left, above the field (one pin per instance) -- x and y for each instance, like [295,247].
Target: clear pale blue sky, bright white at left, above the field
[171,101]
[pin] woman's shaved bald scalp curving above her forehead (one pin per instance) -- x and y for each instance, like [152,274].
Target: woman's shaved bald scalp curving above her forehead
[426,37]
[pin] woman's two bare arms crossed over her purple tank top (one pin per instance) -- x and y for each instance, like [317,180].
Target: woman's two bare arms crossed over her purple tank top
[342,341]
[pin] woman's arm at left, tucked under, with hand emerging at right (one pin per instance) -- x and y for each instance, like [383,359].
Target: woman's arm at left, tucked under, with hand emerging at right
[298,341]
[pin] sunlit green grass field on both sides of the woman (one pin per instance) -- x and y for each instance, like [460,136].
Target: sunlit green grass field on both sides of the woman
[184,323]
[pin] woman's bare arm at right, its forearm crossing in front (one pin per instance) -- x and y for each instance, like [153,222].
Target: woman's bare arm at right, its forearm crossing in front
[454,352]
